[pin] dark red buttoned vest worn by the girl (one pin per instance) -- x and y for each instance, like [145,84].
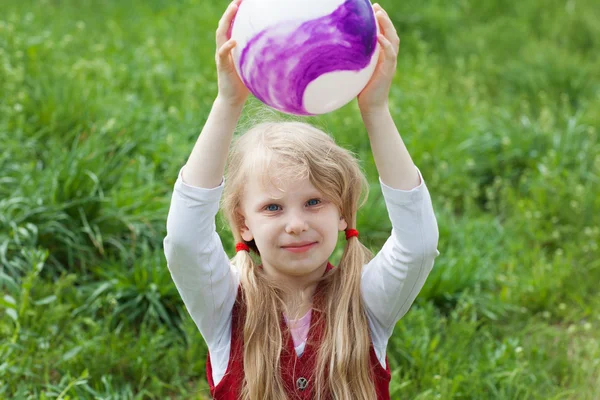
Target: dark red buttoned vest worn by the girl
[296,371]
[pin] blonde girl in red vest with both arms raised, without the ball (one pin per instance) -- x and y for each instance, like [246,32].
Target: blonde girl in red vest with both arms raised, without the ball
[293,326]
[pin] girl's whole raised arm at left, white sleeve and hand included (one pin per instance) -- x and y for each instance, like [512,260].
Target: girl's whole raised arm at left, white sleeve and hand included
[195,256]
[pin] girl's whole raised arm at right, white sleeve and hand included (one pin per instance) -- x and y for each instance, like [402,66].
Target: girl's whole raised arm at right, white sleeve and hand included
[393,278]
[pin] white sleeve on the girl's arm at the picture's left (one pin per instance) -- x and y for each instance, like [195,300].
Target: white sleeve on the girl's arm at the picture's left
[200,267]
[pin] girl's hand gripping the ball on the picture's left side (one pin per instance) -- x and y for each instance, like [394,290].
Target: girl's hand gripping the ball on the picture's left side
[231,88]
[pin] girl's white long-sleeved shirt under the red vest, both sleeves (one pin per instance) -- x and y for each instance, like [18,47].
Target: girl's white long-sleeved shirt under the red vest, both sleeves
[208,283]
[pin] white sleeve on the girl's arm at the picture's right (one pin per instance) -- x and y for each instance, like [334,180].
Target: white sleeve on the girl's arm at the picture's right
[393,278]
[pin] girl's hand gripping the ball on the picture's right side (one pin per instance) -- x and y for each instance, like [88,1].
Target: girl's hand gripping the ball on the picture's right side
[375,94]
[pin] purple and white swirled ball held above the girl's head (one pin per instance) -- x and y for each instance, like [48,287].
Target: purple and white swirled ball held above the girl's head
[305,57]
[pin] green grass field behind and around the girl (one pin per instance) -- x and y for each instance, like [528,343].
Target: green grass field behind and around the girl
[498,102]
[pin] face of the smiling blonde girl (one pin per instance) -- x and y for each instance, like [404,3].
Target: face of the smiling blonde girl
[295,228]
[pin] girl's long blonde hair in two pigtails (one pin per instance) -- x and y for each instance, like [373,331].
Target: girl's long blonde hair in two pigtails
[343,361]
